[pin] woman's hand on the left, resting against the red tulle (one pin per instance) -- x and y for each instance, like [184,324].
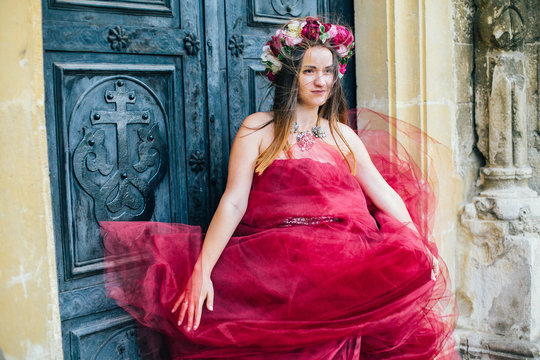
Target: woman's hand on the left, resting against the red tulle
[198,289]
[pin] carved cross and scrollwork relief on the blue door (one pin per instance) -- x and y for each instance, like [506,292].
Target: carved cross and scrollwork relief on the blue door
[125,190]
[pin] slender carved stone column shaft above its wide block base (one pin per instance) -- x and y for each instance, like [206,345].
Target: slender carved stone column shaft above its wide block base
[502,99]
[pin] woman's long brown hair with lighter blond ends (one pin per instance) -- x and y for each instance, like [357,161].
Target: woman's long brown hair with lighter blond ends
[285,100]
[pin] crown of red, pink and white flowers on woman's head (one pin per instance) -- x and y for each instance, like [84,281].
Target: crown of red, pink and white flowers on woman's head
[310,29]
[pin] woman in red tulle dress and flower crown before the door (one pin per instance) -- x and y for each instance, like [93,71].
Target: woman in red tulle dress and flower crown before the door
[299,267]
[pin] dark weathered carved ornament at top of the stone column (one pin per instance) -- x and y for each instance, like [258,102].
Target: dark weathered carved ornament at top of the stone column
[501,22]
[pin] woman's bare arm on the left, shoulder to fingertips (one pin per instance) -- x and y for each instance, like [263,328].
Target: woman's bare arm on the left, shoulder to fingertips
[231,209]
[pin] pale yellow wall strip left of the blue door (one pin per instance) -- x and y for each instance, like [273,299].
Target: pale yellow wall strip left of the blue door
[29,312]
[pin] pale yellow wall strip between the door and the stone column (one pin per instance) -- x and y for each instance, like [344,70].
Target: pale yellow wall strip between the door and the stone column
[404,66]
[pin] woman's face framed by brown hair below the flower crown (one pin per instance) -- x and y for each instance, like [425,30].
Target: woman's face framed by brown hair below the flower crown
[316,76]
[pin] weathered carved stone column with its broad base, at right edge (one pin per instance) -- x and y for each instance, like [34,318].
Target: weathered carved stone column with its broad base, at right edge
[498,284]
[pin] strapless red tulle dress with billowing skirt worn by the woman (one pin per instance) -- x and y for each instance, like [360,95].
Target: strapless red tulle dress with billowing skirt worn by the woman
[313,271]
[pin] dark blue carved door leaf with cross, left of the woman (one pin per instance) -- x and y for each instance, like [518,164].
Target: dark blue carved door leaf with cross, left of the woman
[128,139]
